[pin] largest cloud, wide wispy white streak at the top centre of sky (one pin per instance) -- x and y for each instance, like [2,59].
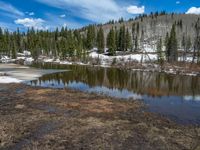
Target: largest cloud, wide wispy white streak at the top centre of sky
[100,11]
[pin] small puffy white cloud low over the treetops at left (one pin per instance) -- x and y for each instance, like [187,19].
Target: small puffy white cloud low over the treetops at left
[31,22]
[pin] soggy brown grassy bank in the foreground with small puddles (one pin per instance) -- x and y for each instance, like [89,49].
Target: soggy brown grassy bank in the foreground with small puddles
[38,118]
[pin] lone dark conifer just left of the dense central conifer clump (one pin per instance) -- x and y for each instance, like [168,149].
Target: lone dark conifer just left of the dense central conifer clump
[100,40]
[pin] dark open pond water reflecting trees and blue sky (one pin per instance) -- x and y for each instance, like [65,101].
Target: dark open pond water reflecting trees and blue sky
[174,96]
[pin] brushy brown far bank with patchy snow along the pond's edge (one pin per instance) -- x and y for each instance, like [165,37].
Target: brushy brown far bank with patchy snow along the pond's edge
[187,69]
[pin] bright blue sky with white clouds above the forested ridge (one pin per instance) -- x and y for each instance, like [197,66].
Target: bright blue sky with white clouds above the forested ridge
[49,14]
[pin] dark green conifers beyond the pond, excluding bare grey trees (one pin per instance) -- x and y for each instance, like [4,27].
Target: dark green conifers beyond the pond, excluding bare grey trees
[65,42]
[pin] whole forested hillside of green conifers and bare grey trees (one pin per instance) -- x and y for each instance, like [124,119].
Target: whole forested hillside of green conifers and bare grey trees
[168,35]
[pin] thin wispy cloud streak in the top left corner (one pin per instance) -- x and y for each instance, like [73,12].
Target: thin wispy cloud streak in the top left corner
[10,9]
